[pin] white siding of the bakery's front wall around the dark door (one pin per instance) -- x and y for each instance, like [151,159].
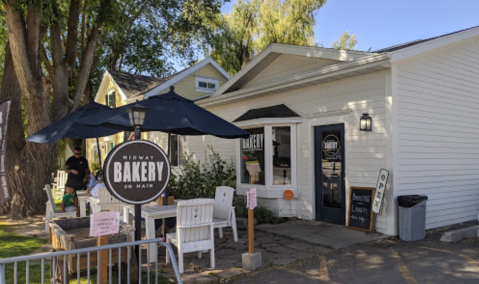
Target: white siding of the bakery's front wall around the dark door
[319,105]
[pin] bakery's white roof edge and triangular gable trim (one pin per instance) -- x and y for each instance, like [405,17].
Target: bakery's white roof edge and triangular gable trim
[349,64]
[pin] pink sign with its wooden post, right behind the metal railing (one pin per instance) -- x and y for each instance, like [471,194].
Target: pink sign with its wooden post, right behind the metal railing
[103,224]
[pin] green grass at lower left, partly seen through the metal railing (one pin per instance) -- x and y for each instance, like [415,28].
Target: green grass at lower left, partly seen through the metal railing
[12,245]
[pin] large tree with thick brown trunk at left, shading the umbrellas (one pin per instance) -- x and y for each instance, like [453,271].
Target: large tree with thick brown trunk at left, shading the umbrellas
[56,51]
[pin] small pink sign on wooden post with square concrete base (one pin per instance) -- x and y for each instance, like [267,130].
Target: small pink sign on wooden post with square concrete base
[251,260]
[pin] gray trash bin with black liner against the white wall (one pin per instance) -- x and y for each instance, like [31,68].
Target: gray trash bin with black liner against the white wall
[412,217]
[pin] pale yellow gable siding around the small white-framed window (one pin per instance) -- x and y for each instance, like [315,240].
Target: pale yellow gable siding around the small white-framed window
[187,87]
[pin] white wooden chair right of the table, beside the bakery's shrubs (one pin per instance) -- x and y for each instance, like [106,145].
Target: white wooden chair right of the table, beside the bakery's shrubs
[224,211]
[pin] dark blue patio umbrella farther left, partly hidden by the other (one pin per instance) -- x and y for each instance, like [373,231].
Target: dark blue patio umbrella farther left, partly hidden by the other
[70,126]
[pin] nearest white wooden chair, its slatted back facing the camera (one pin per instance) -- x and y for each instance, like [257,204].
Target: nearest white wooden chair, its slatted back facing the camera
[194,230]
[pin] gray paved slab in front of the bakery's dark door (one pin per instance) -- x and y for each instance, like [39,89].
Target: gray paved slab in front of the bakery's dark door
[319,233]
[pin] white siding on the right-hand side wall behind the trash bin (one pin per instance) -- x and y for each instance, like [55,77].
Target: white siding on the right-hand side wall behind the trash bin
[438,132]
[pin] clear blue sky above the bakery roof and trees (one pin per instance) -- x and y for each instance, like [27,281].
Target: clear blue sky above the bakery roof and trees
[382,23]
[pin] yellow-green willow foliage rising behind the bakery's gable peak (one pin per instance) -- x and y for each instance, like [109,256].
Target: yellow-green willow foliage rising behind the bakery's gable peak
[236,37]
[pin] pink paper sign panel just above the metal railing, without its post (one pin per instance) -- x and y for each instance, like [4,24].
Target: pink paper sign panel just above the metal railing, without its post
[104,223]
